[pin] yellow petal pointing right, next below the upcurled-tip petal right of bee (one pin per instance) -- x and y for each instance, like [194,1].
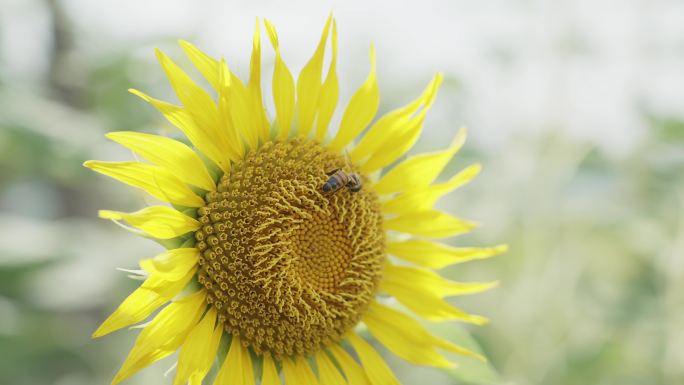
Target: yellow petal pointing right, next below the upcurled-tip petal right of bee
[423,198]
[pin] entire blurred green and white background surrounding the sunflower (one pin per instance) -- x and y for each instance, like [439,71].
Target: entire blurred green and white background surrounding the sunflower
[575,110]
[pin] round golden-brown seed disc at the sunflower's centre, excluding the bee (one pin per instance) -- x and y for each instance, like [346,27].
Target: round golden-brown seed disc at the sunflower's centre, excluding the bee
[289,268]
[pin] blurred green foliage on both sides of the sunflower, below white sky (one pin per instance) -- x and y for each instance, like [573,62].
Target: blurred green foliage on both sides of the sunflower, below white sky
[591,292]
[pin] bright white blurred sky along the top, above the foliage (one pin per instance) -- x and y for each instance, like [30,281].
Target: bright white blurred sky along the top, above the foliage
[589,68]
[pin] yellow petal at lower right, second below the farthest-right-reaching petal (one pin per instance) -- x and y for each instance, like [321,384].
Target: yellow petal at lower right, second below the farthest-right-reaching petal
[428,306]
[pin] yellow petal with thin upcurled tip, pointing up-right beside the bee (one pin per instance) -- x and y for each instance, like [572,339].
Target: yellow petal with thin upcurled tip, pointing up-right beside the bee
[419,170]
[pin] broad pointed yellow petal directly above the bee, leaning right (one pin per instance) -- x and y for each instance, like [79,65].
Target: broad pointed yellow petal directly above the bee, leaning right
[360,110]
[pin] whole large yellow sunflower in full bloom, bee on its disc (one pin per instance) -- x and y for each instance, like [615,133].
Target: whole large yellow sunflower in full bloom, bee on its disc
[279,237]
